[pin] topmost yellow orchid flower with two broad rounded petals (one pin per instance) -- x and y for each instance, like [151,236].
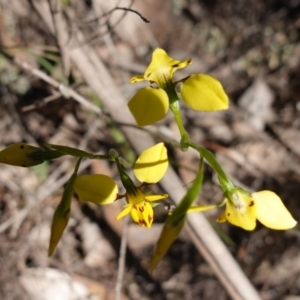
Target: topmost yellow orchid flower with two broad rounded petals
[199,91]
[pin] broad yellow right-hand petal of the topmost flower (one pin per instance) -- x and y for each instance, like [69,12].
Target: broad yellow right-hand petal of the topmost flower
[203,92]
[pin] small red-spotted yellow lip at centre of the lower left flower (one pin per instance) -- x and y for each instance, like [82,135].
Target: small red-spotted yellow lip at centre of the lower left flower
[142,214]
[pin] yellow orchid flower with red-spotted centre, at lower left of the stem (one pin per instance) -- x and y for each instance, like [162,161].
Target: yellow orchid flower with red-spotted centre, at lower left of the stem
[149,168]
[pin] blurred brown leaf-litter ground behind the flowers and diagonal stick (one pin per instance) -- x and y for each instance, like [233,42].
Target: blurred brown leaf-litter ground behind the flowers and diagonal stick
[252,47]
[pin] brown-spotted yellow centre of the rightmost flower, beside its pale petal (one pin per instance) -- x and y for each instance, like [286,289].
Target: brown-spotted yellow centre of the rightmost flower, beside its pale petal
[242,213]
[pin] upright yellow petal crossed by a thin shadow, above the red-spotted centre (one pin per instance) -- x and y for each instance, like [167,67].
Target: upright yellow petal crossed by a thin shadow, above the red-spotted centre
[152,164]
